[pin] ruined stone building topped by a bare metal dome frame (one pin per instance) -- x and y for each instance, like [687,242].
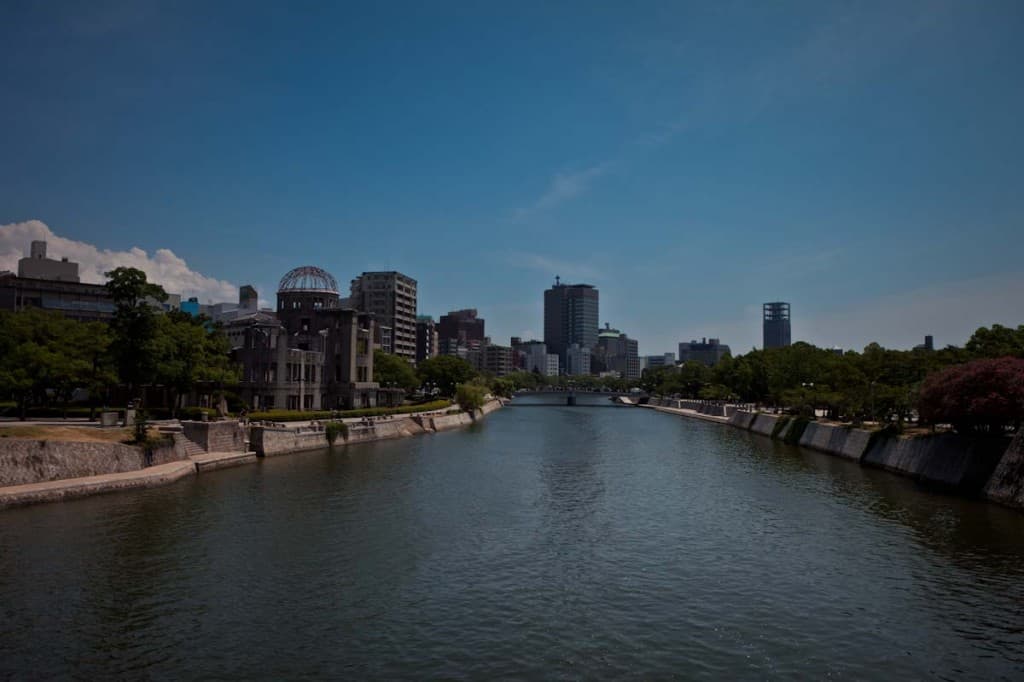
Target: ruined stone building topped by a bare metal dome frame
[317,354]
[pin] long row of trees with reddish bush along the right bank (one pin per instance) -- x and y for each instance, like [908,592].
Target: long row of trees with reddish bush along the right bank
[978,388]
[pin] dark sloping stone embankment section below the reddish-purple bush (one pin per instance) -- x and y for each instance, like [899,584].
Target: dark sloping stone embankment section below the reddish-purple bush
[956,462]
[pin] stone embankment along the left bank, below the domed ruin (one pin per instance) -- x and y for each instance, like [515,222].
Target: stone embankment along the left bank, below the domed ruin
[38,472]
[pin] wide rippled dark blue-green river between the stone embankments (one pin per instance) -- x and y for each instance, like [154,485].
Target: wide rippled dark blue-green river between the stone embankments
[570,543]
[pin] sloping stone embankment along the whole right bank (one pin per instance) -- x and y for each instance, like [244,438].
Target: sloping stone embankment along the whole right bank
[990,468]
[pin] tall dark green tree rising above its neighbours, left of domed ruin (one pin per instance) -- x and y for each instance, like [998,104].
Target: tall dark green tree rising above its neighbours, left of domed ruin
[135,326]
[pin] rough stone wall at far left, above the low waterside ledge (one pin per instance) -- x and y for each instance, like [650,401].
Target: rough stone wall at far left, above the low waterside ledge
[24,461]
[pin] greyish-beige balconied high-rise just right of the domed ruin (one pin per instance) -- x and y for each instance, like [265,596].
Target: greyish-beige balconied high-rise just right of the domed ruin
[392,300]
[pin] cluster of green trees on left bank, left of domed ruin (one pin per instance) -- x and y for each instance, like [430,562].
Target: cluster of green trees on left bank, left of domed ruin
[47,358]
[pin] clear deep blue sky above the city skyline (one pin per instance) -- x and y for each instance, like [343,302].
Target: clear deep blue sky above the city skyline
[860,160]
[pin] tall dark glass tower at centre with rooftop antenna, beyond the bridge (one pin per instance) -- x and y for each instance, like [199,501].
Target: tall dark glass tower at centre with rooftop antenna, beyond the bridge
[571,317]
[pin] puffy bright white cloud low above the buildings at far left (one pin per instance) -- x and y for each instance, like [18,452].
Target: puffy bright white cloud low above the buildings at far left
[163,268]
